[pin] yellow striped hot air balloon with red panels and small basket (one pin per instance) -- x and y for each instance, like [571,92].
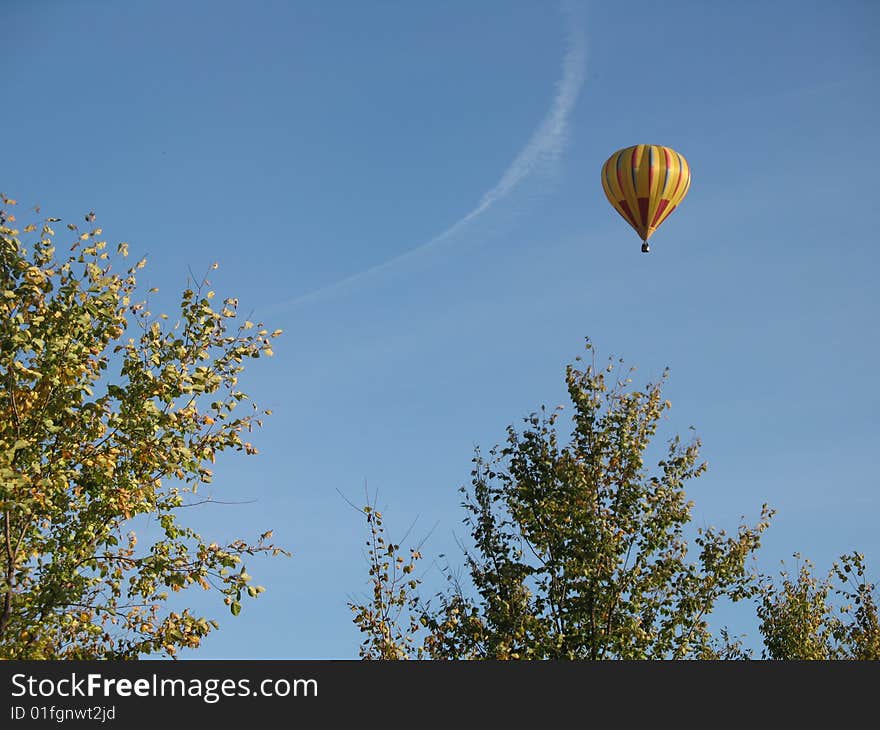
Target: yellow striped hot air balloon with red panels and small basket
[645,183]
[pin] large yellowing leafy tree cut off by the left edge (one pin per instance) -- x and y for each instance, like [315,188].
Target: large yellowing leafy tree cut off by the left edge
[107,413]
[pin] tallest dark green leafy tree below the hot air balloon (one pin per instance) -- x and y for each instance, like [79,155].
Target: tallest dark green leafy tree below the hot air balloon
[579,550]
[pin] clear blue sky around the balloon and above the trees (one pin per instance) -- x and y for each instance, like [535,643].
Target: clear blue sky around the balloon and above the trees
[302,145]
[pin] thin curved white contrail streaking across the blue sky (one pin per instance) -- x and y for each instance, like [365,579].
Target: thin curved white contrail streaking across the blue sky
[543,148]
